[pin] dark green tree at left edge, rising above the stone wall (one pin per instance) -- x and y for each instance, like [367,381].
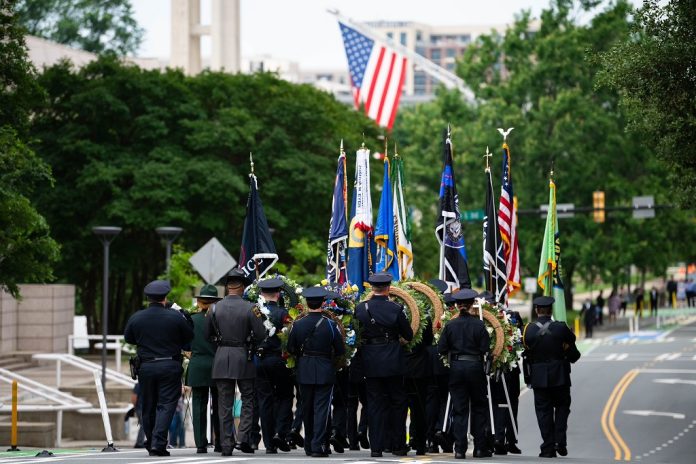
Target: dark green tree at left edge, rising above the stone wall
[27,250]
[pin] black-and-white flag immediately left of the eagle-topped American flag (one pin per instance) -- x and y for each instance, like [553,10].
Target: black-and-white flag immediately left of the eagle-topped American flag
[493,259]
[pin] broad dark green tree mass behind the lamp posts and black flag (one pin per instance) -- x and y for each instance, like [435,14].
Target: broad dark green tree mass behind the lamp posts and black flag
[142,149]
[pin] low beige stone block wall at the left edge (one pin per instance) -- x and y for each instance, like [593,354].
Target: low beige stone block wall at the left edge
[40,321]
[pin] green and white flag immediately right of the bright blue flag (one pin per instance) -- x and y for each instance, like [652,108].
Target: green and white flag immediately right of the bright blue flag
[402,223]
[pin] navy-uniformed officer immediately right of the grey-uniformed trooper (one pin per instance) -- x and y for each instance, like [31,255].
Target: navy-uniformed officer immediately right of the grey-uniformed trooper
[274,383]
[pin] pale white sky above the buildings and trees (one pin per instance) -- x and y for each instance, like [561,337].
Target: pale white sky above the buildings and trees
[302,30]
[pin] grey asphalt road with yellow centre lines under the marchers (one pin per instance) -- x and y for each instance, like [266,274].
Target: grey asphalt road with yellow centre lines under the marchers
[633,400]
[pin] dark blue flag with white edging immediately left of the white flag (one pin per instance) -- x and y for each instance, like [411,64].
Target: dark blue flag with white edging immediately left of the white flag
[338,228]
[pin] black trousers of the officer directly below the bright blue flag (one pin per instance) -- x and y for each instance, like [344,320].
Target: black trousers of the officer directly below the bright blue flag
[386,405]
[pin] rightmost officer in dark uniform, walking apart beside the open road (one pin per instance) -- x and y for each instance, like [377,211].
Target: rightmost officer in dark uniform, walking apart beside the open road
[549,344]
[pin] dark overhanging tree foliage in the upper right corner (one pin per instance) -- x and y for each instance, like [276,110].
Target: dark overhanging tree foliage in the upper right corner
[654,70]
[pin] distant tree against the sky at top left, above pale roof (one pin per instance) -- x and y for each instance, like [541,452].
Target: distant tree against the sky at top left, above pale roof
[91,25]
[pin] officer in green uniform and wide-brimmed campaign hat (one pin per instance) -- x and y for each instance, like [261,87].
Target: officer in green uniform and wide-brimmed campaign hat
[198,373]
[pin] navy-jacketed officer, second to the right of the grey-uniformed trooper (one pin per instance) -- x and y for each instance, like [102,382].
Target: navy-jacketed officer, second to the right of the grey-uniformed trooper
[315,341]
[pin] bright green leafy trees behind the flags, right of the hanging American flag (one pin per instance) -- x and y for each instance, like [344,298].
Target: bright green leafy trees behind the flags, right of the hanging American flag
[542,82]
